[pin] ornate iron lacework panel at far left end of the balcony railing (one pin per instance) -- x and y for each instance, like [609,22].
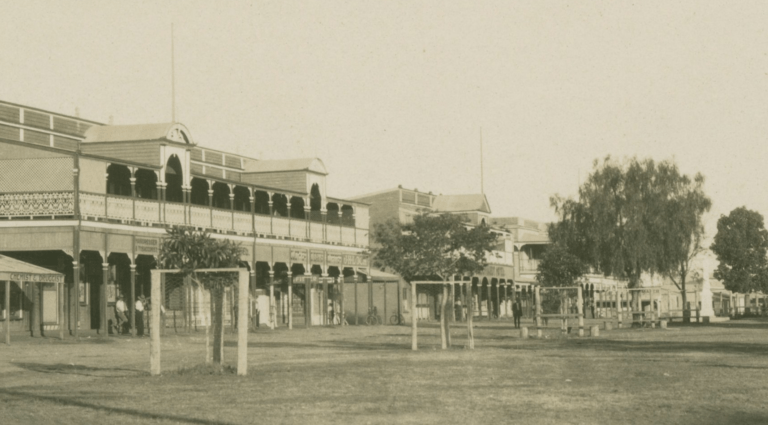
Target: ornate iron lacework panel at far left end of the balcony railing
[37,204]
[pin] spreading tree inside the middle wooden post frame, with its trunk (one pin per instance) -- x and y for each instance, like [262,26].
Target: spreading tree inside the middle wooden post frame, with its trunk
[433,247]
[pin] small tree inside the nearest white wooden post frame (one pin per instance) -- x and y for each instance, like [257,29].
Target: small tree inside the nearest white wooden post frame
[189,251]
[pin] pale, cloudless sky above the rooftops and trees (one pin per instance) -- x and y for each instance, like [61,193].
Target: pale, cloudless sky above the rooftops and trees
[396,92]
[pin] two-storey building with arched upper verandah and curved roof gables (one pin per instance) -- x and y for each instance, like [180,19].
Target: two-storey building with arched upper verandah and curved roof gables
[93,202]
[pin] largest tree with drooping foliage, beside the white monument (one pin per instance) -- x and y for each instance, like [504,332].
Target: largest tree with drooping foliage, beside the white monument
[634,217]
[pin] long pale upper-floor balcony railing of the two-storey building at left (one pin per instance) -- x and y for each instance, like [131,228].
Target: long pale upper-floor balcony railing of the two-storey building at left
[131,210]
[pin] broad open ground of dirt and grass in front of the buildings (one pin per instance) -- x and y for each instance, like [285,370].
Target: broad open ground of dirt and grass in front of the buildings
[697,374]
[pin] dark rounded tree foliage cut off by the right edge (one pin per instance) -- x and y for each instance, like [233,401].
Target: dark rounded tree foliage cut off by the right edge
[741,245]
